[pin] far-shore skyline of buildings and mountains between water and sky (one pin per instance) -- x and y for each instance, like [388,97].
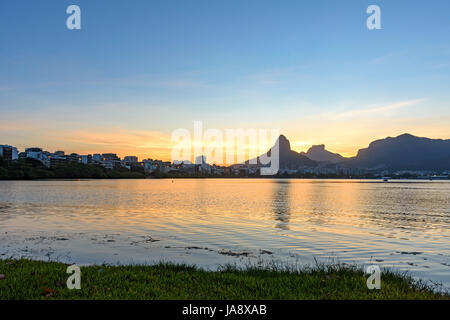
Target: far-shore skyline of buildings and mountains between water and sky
[404,156]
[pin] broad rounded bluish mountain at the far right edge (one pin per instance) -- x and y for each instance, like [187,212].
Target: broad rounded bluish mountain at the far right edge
[406,152]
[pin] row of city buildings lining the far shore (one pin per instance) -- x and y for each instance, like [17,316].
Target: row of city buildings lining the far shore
[112,161]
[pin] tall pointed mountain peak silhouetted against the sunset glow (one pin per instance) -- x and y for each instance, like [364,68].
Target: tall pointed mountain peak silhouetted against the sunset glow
[288,157]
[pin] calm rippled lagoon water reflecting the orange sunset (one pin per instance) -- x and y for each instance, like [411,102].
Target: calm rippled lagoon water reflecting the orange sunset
[403,225]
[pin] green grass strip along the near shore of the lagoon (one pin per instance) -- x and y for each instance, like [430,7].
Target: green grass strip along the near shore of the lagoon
[25,279]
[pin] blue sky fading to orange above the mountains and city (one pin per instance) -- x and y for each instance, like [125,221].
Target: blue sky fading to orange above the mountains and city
[140,69]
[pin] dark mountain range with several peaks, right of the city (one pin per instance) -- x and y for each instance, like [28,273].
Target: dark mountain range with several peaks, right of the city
[405,152]
